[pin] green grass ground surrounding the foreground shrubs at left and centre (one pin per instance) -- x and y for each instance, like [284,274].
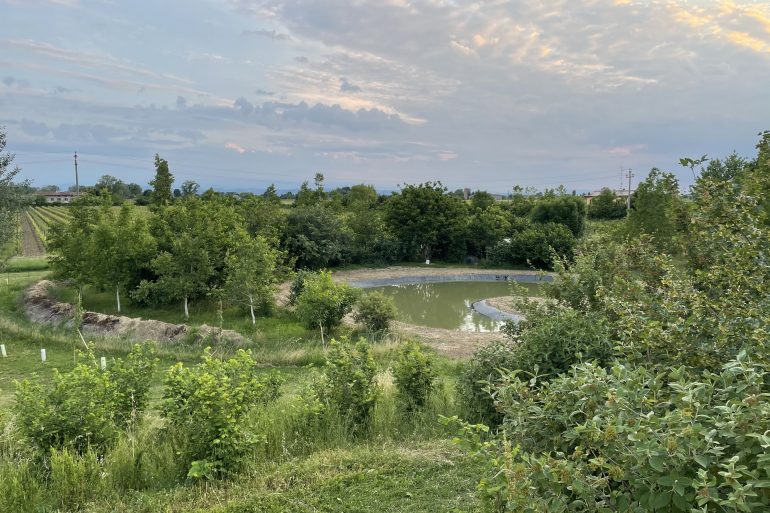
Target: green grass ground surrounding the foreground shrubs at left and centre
[400,466]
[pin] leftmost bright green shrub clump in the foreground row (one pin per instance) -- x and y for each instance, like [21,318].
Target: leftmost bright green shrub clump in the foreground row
[86,407]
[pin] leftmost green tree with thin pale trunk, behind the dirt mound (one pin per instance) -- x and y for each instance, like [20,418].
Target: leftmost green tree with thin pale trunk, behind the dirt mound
[125,248]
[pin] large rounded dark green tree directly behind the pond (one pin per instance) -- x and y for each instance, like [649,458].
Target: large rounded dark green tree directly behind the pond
[427,220]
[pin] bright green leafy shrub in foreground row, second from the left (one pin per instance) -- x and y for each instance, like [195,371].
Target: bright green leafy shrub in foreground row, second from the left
[206,407]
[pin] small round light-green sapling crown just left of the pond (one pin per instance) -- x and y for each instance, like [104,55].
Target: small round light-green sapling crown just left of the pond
[324,302]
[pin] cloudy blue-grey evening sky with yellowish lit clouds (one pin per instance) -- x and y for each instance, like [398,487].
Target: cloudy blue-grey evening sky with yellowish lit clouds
[238,94]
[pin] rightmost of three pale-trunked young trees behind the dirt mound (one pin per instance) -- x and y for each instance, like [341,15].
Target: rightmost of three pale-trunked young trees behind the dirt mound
[251,270]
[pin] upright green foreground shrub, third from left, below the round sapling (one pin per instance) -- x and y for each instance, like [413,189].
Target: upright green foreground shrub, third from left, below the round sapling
[349,386]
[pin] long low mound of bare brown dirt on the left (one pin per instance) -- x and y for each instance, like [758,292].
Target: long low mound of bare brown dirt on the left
[42,309]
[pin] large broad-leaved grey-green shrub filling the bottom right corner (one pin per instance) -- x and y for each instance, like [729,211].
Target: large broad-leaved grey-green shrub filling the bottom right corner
[627,439]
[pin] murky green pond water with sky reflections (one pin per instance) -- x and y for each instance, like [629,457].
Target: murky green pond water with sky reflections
[447,305]
